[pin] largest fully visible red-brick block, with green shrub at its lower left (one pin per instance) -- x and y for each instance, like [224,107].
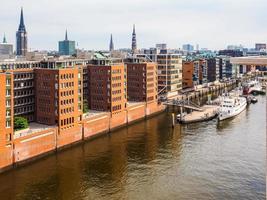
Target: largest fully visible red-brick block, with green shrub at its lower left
[58,95]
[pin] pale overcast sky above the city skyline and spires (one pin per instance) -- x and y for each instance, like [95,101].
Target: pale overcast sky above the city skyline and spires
[212,24]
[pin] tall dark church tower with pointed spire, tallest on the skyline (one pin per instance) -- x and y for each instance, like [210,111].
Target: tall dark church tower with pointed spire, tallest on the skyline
[21,37]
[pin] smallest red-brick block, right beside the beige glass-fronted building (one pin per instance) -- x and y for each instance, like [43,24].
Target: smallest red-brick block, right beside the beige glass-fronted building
[142,83]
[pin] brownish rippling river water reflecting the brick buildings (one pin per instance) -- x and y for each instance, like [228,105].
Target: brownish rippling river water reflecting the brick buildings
[150,160]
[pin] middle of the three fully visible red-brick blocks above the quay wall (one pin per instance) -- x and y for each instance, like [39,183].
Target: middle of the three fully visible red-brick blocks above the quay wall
[107,85]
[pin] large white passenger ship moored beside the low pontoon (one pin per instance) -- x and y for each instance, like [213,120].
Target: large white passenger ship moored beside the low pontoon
[231,106]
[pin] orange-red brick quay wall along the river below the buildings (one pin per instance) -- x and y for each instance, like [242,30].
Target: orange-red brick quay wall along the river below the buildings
[32,146]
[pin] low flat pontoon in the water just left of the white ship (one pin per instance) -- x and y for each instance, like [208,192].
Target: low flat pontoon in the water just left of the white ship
[208,112]
